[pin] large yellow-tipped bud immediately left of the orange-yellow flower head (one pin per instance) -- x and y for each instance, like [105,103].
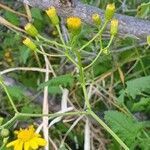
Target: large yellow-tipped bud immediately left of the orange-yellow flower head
[52,13]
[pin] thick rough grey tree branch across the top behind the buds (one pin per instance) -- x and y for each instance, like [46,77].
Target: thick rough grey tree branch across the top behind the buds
[129,26]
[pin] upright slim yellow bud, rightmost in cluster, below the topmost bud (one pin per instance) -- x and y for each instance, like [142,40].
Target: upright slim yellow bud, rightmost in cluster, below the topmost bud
[114,27]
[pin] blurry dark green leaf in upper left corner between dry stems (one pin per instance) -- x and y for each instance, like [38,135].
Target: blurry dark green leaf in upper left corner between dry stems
[13,18]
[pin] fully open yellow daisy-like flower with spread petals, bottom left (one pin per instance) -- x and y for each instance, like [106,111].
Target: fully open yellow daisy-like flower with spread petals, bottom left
[27,139]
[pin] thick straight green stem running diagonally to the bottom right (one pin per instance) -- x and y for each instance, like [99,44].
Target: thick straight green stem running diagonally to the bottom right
[109,130]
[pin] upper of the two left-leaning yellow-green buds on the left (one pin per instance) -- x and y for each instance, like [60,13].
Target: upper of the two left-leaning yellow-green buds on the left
[31,30]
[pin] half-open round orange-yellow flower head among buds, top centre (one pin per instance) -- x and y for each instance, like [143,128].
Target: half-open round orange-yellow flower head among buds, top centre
[74,24]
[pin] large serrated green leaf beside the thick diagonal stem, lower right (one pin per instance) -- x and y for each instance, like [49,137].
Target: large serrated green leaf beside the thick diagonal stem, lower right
[125,127]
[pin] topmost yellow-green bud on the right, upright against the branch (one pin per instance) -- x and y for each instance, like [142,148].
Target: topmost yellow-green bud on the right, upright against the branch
[110,10]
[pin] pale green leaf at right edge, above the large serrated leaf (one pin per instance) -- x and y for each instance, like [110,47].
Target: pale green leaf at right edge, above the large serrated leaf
[136,86]
